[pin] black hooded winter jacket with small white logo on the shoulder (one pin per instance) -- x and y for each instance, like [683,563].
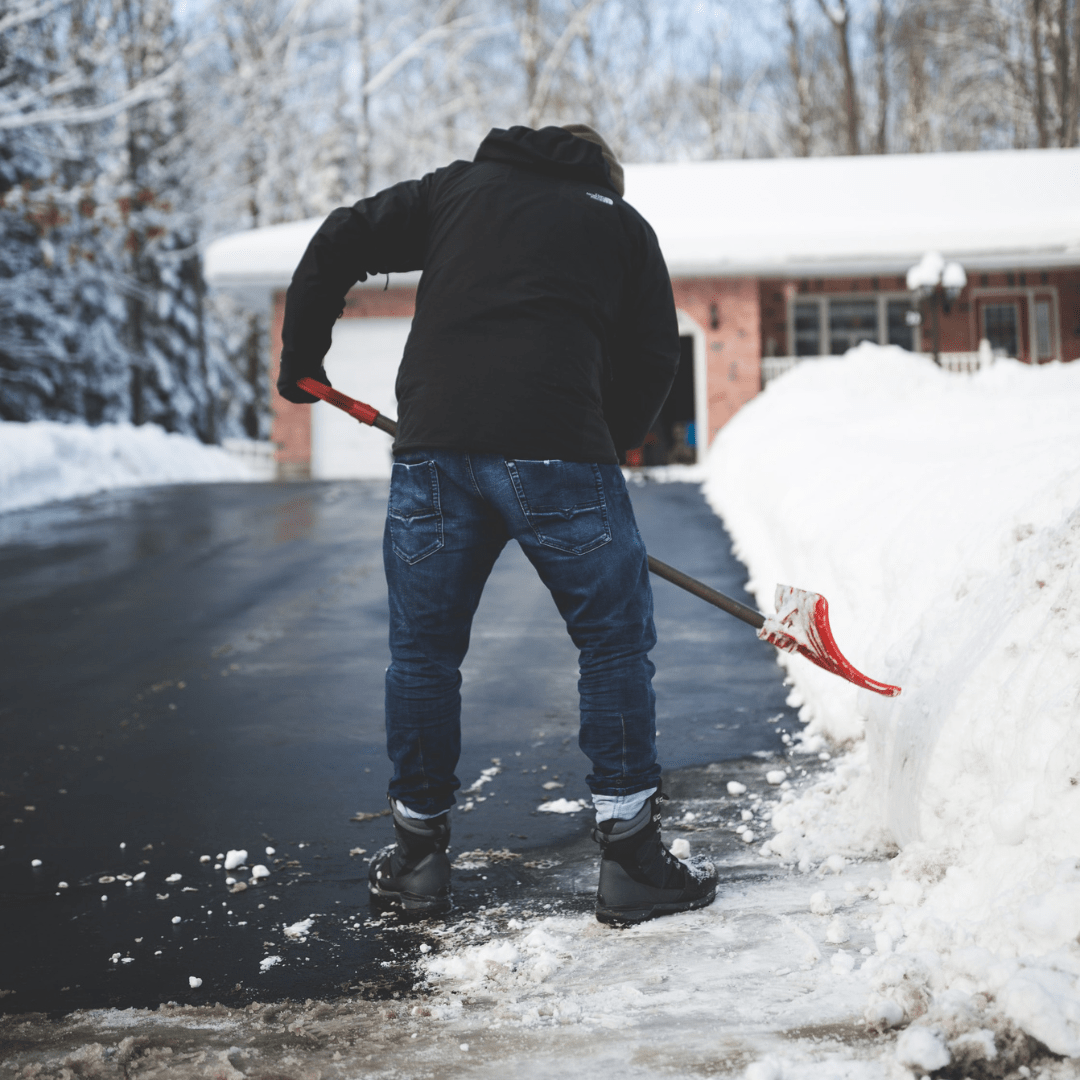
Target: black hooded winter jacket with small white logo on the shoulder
[545,321]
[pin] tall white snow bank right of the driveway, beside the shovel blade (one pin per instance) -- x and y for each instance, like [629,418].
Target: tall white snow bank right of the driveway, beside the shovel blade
[941,517]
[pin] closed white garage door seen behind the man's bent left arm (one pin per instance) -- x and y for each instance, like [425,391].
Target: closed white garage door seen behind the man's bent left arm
[362,363]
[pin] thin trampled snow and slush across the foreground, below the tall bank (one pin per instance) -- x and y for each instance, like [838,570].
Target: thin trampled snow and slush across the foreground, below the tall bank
[535,988]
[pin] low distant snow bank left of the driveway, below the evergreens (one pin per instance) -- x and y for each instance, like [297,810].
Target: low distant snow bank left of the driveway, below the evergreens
[45,461]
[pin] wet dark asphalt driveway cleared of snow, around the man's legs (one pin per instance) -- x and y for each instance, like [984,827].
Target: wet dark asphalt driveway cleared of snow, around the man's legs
[191,670]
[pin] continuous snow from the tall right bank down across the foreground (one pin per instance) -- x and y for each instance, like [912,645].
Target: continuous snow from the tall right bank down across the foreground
[915,904]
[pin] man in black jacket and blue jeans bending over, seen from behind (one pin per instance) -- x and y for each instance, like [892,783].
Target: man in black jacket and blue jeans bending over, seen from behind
[544,346]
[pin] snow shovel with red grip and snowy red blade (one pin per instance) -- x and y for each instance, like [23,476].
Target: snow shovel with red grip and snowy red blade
[802,620]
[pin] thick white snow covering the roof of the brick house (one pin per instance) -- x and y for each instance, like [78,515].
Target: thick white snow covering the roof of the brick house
[801,217]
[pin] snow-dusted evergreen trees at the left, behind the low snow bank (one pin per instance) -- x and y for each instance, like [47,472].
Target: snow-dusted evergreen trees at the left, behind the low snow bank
[102,300]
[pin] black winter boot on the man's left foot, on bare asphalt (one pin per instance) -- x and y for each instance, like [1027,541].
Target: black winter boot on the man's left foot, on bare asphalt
[414,874]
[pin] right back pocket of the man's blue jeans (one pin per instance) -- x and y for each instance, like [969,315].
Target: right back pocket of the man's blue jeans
[563,503]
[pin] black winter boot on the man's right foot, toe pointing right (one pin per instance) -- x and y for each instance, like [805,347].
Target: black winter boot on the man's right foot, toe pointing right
[640,879]
